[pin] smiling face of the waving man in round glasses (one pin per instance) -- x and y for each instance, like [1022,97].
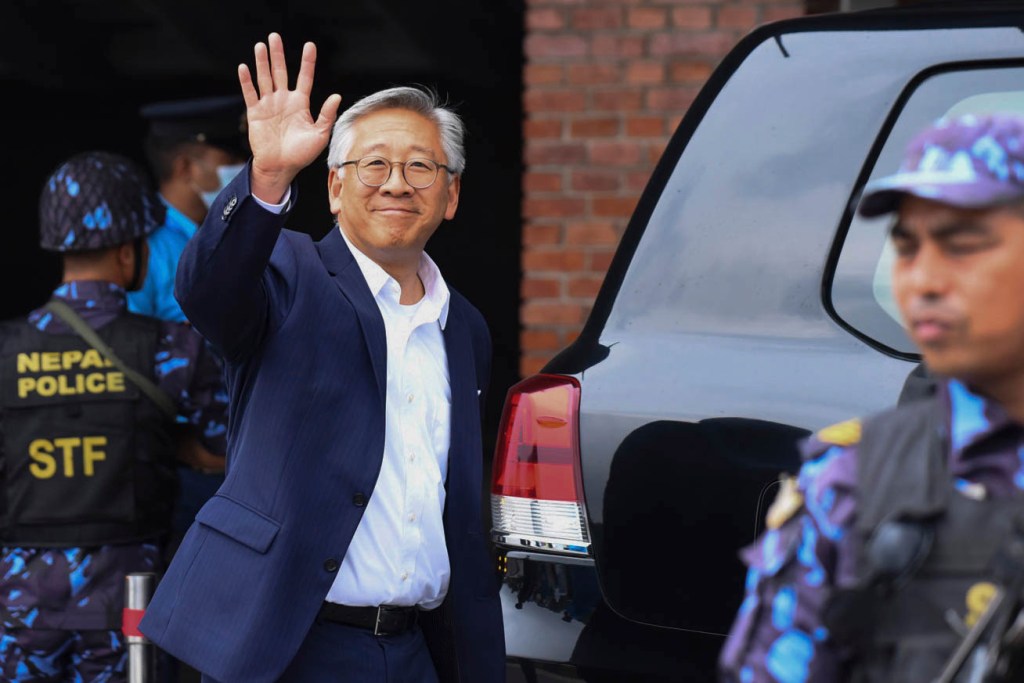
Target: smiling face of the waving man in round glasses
[392,224]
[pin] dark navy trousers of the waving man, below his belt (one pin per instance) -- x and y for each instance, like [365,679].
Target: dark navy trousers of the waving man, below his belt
[337,654]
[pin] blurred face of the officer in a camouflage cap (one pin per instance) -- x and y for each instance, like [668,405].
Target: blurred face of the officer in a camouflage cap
[959,280]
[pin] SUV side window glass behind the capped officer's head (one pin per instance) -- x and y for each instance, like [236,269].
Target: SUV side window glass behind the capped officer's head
[862,291]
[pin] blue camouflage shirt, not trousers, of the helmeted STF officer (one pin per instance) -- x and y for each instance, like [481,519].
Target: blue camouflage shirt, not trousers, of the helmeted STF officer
[82,588]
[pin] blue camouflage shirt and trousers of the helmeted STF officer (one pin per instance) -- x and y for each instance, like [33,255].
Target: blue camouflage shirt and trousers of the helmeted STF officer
[62,607]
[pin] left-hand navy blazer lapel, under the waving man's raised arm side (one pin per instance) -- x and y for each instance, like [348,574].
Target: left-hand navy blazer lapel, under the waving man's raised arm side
[347,275]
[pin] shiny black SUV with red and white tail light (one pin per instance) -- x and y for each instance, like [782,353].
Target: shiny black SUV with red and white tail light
[747,307]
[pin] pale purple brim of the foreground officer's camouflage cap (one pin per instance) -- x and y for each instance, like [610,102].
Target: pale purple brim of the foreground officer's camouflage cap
[884,196]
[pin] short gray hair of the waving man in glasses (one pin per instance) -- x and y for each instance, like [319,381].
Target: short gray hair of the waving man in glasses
[423,102]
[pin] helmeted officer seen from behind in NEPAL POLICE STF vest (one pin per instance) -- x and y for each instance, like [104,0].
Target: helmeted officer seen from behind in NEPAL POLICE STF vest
[93,400]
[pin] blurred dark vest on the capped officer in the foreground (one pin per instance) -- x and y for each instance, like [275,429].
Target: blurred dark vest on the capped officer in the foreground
[907,618]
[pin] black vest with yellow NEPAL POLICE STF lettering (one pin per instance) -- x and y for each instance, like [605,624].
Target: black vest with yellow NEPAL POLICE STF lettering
[88,458]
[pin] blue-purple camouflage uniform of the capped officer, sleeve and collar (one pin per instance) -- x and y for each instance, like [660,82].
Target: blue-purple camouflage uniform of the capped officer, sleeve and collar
[780,634]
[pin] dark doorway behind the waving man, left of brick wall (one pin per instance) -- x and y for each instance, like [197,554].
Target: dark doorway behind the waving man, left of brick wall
[75,73]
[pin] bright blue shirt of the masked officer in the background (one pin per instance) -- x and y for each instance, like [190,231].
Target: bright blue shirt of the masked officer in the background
[156,298]
